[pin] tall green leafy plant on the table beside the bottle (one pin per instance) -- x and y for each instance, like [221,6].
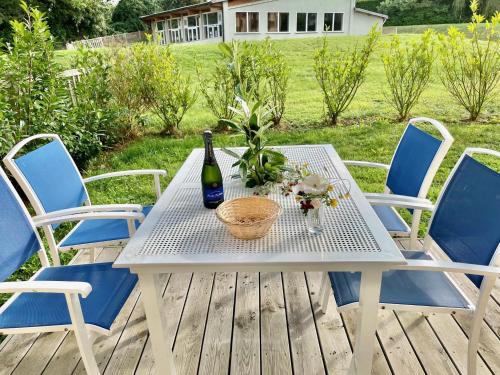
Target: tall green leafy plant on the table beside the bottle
[258,165]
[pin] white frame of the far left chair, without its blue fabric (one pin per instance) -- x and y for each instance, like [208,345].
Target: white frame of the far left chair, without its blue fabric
[85,212]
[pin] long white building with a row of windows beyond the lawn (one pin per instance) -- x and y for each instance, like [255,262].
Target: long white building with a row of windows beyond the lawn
[223,20]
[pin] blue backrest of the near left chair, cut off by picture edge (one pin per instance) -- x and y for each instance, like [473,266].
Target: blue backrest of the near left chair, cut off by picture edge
[18,240]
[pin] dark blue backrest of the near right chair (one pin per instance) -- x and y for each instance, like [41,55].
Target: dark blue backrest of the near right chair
[466,222]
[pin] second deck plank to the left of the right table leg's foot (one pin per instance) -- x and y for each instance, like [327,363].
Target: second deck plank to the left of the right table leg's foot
[306,352]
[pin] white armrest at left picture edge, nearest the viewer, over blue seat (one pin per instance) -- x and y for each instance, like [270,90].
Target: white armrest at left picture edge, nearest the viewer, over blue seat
[34,286]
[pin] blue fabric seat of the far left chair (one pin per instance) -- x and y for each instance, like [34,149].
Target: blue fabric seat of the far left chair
[94,231]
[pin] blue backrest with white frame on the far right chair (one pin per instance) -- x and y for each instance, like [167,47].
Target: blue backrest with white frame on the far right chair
[417,159]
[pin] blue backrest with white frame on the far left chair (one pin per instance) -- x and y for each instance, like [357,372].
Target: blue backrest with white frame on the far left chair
[48,175]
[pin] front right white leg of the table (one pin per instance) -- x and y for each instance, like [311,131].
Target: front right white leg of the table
[369,296]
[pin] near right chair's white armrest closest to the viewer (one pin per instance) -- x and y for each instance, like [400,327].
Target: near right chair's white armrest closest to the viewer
[447,266]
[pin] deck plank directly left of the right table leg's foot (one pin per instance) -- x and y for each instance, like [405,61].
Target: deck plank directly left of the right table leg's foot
[331,331]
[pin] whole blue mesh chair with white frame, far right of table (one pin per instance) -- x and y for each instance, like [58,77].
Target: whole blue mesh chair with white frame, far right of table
[414,165]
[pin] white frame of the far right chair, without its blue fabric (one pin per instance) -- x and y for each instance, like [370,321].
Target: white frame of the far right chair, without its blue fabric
[388,199]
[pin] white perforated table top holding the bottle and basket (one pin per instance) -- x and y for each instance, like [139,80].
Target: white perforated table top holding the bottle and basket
[181,235]
